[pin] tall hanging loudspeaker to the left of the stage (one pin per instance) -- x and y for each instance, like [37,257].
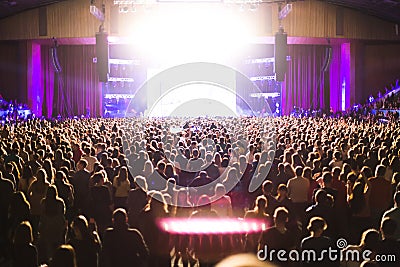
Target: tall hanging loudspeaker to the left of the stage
[102,56]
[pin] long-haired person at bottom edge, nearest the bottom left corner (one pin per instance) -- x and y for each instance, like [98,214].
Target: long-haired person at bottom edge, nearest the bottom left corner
[24,252]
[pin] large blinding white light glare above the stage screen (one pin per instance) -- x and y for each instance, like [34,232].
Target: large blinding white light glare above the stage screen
[180,33]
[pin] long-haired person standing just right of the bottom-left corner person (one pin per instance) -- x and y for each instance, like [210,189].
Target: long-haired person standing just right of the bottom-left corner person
[52,225]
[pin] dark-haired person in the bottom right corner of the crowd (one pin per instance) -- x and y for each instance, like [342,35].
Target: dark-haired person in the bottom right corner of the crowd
[389,245]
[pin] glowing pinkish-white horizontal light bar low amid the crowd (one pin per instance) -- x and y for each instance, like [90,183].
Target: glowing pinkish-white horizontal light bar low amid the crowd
[212,226]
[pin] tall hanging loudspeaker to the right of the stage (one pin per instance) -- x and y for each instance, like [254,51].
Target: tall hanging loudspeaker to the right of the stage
[280,55]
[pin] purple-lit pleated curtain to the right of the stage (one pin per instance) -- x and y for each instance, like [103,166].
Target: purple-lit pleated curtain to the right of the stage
[304,84]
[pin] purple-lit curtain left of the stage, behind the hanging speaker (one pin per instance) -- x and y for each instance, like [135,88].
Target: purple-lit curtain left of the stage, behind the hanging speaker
[75,91]
